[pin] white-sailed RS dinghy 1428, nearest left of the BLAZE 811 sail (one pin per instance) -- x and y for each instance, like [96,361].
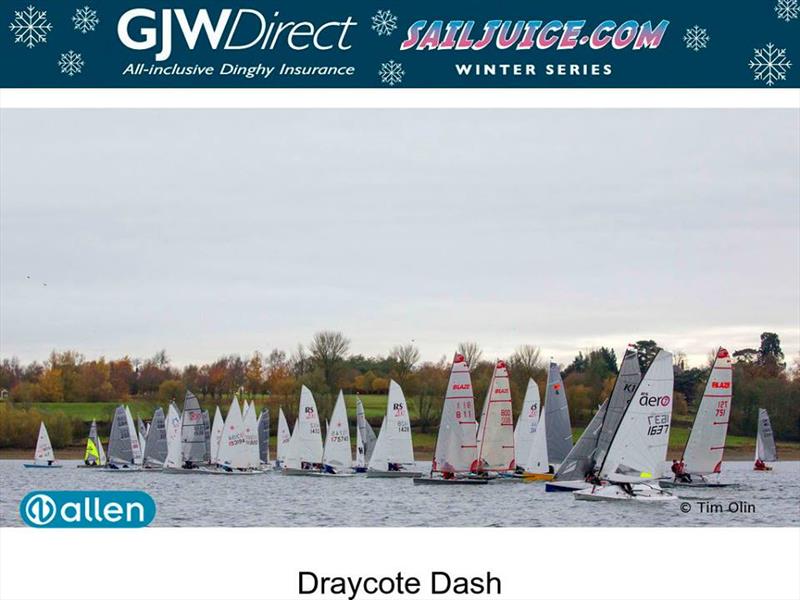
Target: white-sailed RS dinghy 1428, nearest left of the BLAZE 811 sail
[393,455]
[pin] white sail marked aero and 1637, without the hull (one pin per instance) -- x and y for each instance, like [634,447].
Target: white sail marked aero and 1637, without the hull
[639,448]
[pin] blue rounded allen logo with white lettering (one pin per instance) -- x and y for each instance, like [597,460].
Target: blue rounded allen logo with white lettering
[89,509]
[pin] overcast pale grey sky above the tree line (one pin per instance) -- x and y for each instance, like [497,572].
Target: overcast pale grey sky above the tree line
[212,232]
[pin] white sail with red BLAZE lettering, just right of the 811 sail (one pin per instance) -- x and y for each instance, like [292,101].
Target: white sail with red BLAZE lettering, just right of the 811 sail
[496,429]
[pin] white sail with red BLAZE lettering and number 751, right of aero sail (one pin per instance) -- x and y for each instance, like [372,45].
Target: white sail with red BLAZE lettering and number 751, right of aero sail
[703,453]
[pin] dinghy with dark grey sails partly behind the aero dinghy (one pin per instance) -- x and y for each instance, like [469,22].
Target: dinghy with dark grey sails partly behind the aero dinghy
[593,444]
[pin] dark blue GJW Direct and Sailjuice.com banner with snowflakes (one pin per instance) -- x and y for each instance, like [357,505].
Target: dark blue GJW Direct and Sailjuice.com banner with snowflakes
[400,44]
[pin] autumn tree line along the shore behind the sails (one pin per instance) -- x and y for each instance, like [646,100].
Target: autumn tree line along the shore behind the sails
[326,365]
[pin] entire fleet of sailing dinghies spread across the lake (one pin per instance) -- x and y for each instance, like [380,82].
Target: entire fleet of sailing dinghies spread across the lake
[618,457]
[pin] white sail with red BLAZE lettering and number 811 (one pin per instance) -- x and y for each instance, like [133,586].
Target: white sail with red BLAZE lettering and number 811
[456,449]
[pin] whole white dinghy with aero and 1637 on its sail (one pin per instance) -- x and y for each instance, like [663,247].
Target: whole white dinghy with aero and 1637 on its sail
[631,467]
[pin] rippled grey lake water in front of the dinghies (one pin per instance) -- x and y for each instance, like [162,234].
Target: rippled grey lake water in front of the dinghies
[276,500]
